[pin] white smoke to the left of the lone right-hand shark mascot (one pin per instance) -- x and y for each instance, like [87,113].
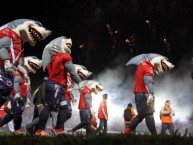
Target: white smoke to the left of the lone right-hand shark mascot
[118,84]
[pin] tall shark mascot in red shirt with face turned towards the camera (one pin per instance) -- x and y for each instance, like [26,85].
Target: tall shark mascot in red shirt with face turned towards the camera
[58,62]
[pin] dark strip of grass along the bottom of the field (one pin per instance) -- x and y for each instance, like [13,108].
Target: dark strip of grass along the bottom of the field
[109,139]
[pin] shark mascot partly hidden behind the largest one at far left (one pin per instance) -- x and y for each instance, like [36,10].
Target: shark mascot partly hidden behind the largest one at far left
[20,93]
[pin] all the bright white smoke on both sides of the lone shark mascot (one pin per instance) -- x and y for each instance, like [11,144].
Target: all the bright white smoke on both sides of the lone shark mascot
[175,85]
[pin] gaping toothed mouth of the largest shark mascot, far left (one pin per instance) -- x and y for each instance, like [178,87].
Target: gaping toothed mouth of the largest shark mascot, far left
[34,34]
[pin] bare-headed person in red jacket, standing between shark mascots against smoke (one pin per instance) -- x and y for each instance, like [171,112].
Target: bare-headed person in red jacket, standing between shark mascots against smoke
[103,115]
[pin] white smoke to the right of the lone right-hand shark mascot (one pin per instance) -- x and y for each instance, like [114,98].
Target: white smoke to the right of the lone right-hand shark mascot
[177,87]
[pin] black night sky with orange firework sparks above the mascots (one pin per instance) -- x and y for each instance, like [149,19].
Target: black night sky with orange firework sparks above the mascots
[100,28]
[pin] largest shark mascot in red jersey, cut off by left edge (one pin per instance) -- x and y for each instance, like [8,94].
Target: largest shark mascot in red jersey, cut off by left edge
[13,35]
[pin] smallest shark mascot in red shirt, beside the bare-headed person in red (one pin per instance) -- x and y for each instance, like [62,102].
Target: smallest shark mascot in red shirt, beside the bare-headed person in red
[85,105]
